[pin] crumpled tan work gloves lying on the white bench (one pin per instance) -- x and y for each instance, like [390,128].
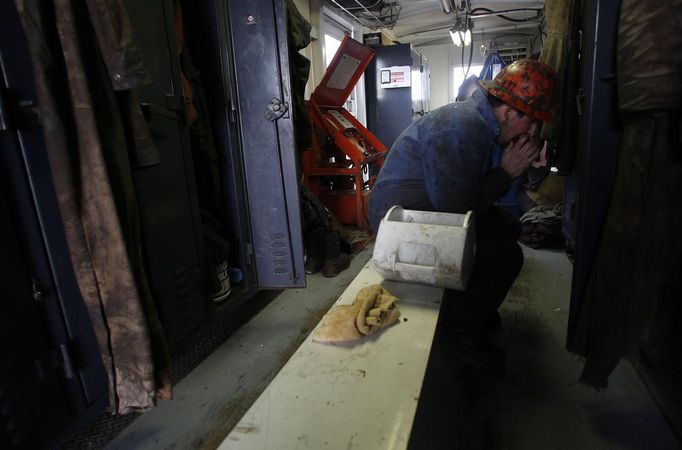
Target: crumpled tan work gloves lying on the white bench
[374,308]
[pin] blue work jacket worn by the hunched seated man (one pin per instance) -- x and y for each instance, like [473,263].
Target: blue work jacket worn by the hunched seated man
[442,162]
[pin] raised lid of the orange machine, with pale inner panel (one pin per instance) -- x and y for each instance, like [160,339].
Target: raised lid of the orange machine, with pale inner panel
[348,65]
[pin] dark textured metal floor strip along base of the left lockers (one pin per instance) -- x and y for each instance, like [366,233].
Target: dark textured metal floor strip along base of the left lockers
[106,427]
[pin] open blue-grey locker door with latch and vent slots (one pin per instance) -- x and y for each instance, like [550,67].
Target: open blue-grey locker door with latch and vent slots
[261,78]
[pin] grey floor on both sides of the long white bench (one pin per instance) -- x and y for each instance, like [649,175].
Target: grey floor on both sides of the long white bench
[536,404]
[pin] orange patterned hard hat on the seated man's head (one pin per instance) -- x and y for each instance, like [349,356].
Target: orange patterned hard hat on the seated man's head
[527,85]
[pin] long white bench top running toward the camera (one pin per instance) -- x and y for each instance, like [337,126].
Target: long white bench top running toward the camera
[348,396]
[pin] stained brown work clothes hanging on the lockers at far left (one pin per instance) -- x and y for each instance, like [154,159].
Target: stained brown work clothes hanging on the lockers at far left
[85,62]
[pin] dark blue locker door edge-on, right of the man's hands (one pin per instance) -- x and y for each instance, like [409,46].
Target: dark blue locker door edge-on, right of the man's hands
[587,190]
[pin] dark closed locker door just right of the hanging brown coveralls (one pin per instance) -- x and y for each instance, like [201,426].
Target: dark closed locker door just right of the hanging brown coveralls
[166,192]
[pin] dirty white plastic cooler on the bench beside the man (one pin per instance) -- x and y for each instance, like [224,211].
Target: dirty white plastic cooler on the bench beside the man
[426,247]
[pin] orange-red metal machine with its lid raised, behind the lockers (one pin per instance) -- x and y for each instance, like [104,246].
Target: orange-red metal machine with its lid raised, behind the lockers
[344,159]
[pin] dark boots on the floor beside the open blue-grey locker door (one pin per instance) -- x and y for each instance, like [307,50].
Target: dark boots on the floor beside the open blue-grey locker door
[323,252]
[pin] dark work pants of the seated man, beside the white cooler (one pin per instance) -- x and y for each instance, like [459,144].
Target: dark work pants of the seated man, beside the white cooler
[497,263]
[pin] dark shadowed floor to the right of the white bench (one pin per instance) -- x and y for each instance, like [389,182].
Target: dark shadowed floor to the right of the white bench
[537,403]
